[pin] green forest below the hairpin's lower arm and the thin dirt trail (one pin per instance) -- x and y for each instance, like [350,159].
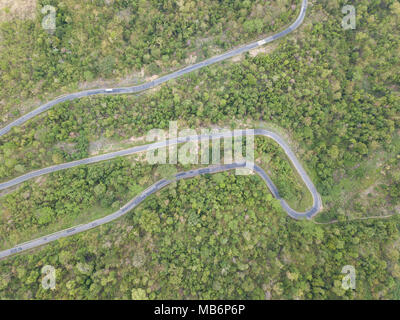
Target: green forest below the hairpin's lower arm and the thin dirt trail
[217,236]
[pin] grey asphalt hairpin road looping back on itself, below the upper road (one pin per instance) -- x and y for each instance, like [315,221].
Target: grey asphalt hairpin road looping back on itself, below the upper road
[316,206]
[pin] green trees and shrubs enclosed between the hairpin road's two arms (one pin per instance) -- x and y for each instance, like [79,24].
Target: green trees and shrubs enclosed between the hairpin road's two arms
[79,195]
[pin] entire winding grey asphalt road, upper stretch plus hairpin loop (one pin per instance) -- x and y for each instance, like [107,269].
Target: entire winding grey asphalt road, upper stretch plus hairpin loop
[317,203]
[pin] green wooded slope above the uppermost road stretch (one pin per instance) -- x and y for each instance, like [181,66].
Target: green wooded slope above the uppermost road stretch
[98,40]
